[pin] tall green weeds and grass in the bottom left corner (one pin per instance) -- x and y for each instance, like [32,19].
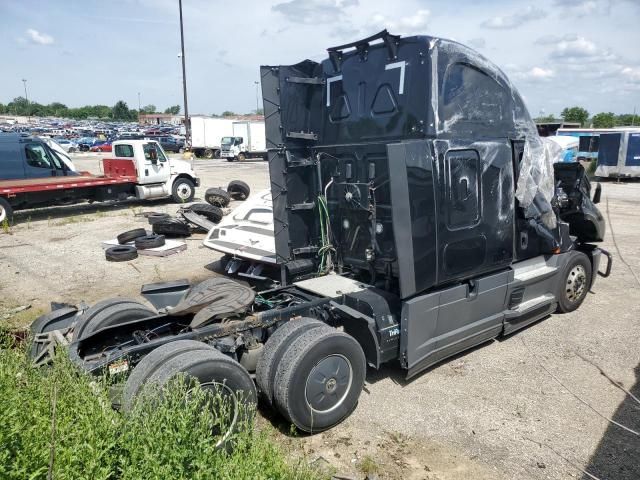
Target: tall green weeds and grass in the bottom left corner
[61,419]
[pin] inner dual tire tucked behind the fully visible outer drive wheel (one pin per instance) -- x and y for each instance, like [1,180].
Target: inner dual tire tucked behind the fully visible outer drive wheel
[274,350]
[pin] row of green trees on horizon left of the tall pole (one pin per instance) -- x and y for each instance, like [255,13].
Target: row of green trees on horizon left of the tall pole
[120,111]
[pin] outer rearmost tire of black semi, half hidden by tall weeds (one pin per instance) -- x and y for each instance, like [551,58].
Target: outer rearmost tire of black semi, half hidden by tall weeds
[213,370]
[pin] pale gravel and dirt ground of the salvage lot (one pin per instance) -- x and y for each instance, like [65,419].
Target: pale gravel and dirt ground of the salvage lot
[492,413]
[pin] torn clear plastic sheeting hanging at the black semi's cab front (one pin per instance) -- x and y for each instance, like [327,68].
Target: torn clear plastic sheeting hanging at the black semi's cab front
[536,185]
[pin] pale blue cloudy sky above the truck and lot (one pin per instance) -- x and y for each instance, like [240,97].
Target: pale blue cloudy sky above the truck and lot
[557,52]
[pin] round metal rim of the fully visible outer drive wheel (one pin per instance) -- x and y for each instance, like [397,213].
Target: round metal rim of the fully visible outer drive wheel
[328,383]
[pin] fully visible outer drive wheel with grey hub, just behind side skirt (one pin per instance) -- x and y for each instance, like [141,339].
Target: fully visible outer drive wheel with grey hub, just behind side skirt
[313,354]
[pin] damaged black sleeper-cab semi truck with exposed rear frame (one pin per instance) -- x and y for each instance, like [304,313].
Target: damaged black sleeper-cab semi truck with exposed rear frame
[417,214]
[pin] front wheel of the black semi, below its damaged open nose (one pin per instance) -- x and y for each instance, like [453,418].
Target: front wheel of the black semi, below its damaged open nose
[575,283]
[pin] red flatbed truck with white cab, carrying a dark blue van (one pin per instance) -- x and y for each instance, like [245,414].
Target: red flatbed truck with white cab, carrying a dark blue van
[32,175]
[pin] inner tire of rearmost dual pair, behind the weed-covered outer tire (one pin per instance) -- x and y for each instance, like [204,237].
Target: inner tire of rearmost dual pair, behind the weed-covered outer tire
[151,363]
